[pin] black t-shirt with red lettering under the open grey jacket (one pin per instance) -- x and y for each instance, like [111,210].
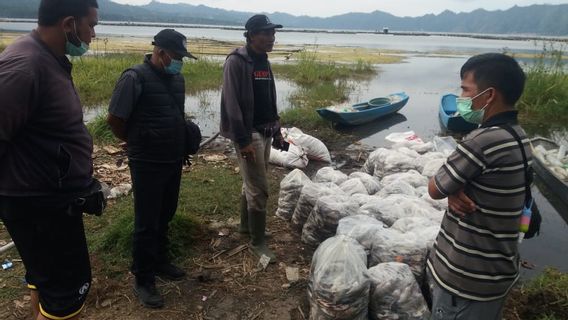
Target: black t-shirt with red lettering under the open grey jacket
[264,111]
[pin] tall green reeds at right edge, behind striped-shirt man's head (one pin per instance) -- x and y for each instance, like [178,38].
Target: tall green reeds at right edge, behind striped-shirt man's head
[544,104]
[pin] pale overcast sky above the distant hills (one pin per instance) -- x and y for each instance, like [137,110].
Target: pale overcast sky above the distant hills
[326,8]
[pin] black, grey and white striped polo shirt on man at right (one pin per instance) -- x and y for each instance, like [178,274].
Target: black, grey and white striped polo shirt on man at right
[476,257]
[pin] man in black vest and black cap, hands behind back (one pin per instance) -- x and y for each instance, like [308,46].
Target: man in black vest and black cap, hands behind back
[147,111]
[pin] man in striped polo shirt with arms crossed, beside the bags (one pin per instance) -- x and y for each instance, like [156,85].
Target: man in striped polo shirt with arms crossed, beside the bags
[475,260]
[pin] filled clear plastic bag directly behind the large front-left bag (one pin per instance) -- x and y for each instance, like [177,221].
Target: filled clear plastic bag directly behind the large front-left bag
[324,218]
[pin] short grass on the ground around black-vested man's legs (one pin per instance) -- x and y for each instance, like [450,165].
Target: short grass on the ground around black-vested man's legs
[209,192]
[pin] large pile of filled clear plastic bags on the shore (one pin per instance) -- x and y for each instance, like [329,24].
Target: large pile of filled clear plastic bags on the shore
[386,210]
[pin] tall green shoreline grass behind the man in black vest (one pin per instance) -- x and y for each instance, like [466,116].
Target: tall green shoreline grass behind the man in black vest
[96,75]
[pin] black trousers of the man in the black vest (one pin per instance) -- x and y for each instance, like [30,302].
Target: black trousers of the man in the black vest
[156,191]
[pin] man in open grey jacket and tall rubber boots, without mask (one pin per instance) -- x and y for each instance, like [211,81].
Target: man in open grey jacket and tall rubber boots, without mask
[249,118]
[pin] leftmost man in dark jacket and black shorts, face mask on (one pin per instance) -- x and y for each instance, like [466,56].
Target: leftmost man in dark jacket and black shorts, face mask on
[46,156]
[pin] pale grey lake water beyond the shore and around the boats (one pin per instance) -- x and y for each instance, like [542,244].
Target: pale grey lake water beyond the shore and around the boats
[423,78]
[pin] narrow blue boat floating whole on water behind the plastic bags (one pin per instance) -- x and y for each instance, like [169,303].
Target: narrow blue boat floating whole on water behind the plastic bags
[367,111]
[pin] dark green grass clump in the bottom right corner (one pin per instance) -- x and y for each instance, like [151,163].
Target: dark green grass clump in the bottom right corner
[542,298]
